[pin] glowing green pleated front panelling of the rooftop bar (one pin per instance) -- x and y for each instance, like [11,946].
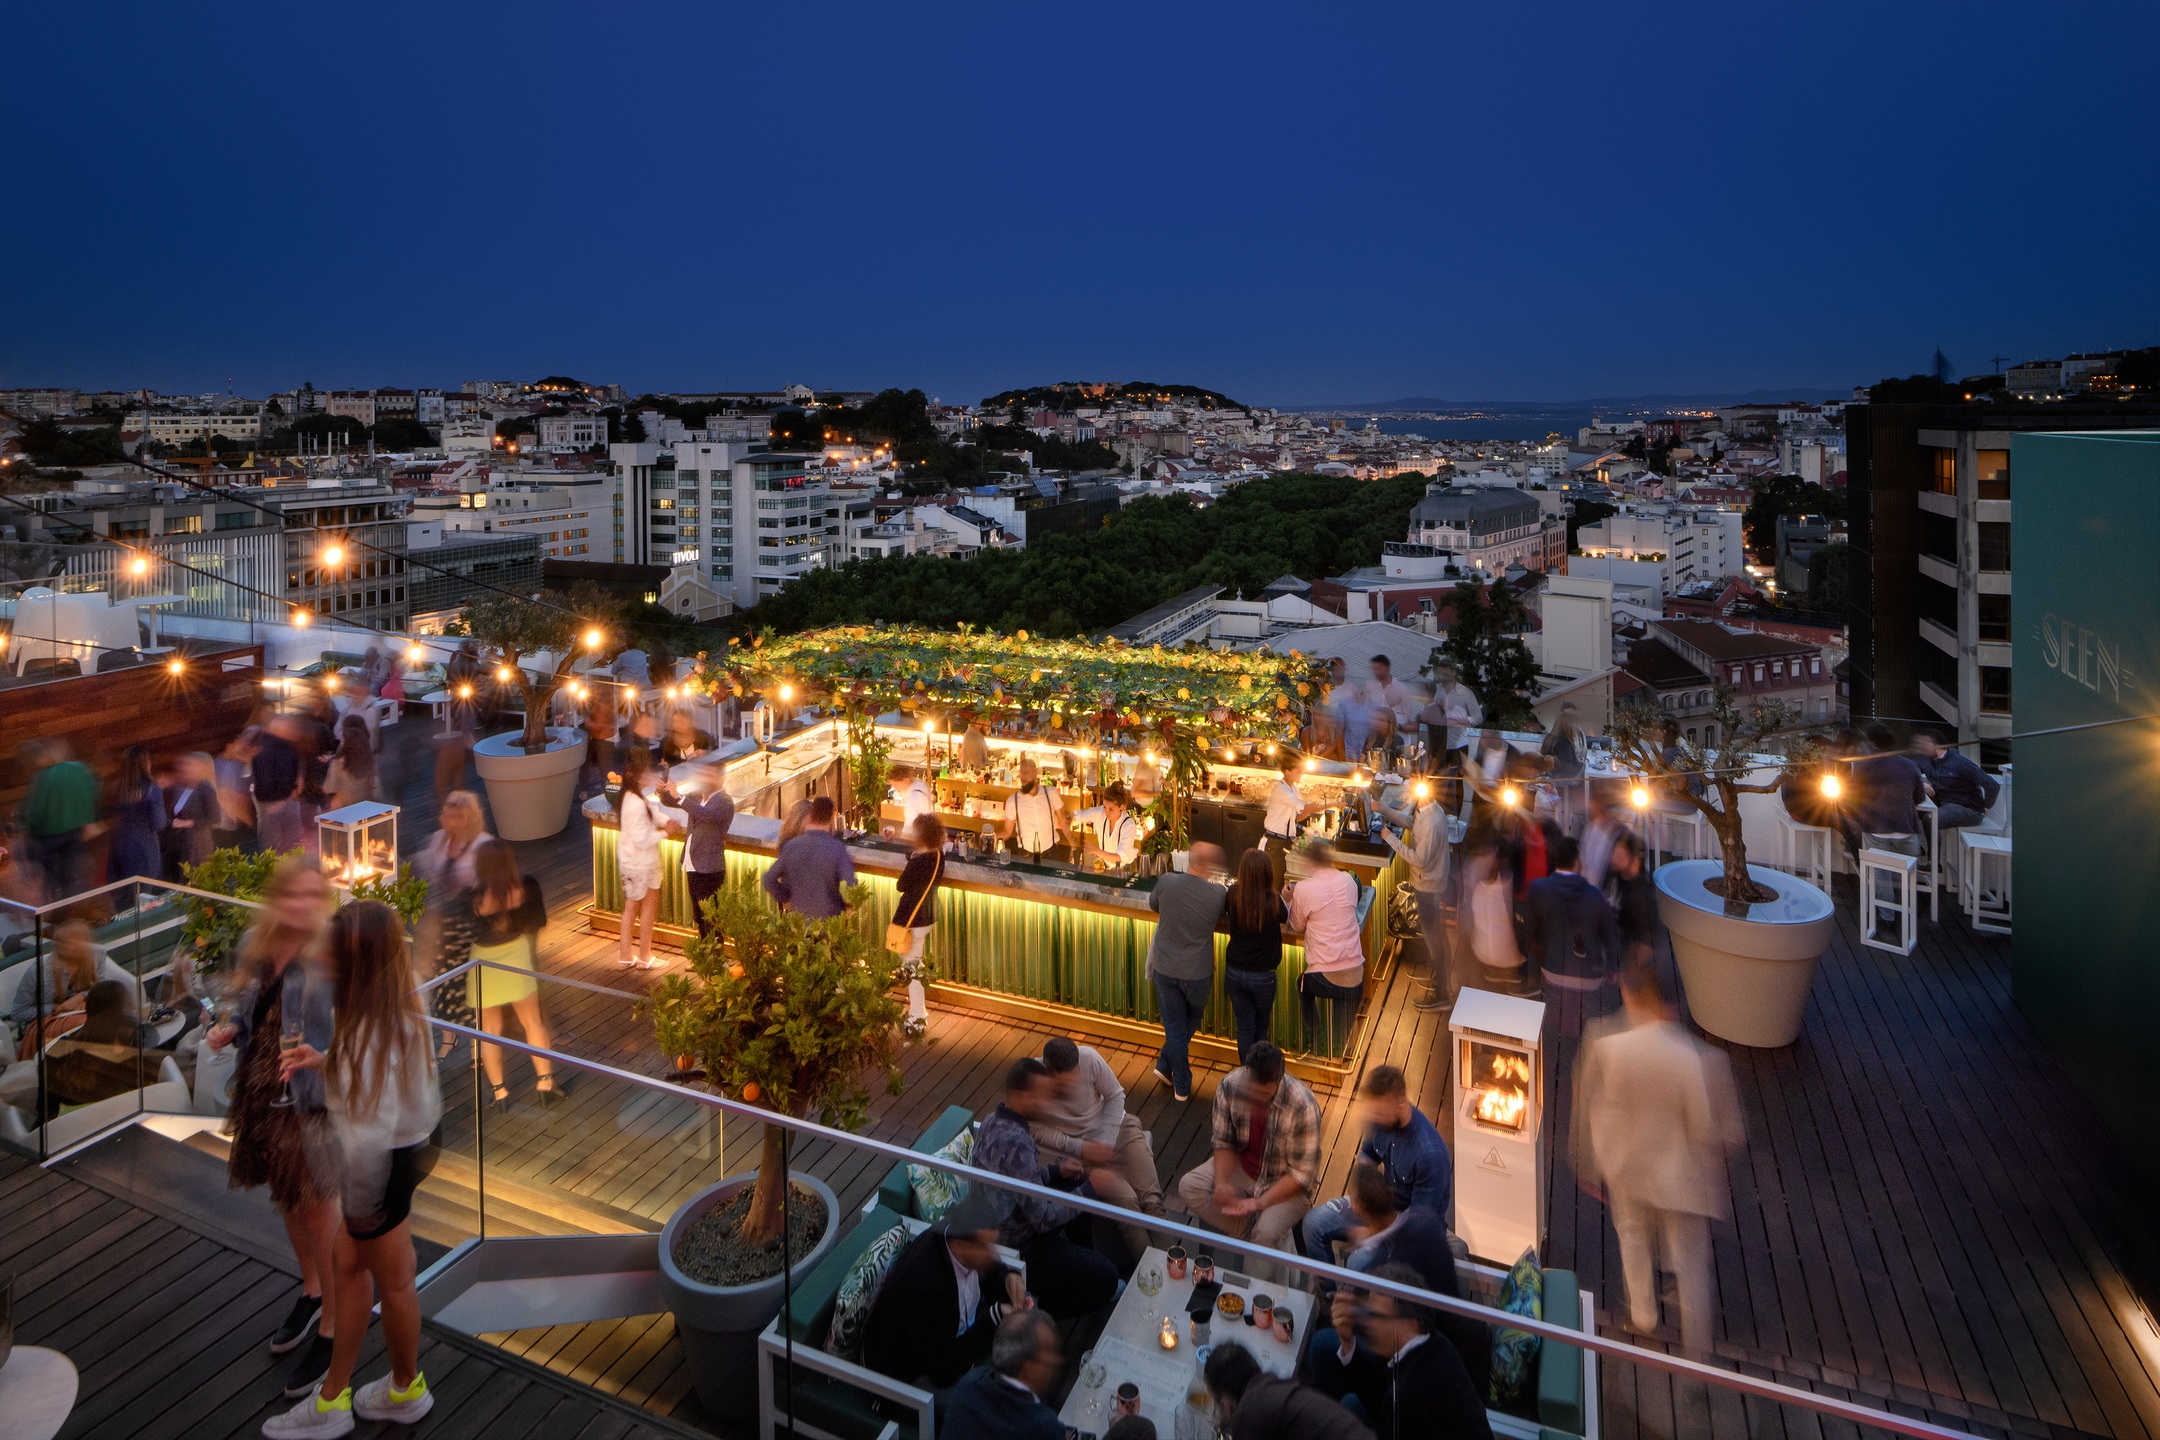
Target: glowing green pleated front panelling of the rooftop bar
[1036,947]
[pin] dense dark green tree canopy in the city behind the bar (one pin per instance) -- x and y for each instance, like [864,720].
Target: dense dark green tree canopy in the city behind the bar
[1148,552]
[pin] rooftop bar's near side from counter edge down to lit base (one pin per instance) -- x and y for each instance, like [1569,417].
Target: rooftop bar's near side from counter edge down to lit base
[1034,942]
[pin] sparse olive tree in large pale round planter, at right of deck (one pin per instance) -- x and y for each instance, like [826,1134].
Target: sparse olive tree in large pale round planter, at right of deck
[1744,938]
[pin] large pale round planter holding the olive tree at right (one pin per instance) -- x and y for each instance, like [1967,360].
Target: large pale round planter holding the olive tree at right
[1746,968]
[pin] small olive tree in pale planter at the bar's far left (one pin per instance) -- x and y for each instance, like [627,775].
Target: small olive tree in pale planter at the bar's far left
[528,647]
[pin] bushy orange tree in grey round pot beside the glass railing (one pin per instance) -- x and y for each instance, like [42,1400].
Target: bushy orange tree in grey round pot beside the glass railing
[798,1018]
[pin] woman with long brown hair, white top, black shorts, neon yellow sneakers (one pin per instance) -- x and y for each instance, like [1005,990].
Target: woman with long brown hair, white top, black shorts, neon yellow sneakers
[386,1106]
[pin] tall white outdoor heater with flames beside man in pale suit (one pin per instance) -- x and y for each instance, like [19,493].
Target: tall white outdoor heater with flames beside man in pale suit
[1500,1122]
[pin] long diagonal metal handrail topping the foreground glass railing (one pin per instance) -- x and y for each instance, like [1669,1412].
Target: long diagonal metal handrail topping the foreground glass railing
[1617,1350]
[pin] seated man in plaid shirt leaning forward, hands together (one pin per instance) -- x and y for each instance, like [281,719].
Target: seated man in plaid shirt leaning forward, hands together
[1267,1154]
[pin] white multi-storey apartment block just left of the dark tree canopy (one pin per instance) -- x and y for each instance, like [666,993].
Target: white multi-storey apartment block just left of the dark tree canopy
[753,519]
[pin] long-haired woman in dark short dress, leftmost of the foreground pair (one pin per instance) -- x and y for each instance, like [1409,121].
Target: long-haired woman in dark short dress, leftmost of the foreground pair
[282,1130]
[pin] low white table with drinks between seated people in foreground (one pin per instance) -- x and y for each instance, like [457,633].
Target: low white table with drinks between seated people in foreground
[1131,1346]
